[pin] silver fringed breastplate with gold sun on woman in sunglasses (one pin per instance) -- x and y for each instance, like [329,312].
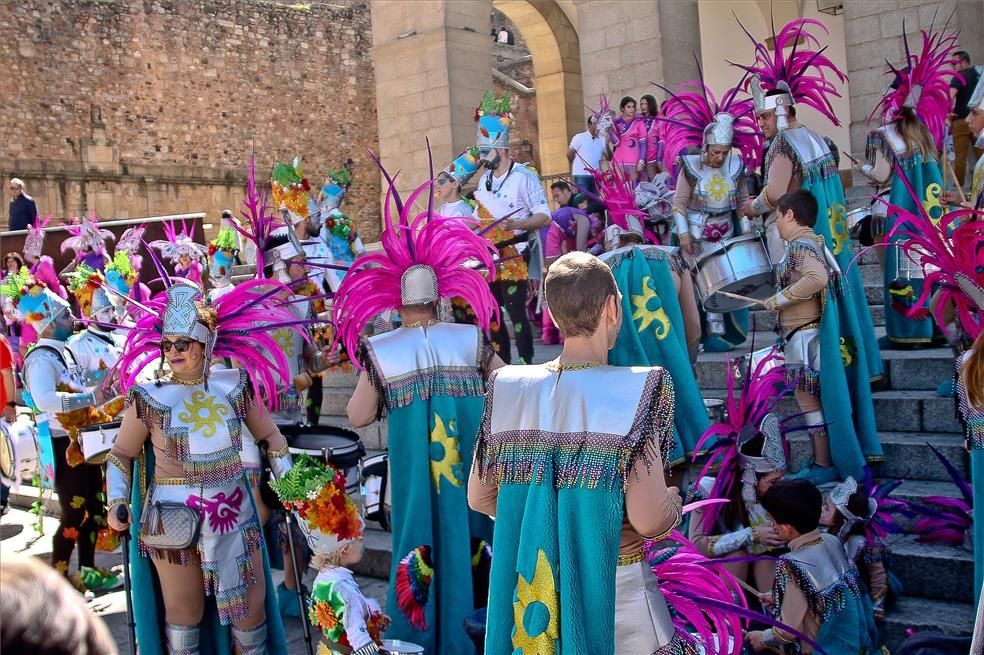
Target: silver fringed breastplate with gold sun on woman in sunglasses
[202,429]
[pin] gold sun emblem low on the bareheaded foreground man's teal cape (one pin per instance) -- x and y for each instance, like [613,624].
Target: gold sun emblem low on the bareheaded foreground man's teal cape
[535,611]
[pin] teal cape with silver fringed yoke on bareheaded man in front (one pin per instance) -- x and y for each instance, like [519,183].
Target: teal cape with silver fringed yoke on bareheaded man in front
[559,513]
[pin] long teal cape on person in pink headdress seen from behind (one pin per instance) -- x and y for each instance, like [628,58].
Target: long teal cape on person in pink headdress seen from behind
[434,416]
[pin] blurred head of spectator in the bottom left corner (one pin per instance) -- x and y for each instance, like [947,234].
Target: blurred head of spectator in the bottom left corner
[40,612]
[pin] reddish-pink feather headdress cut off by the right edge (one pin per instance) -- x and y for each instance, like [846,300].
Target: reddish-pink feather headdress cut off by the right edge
[951,250]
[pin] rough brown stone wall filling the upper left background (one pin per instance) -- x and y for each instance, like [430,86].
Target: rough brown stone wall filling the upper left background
[139,107]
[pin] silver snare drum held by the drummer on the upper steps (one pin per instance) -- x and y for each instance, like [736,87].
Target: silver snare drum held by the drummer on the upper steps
[741,266]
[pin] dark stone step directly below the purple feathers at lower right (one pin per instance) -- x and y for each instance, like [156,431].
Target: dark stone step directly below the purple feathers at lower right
[932,570]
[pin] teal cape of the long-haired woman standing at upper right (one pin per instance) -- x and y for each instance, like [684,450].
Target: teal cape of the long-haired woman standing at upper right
[901,294]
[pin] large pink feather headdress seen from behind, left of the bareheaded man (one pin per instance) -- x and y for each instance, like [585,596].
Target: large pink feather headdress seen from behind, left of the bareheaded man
[448,247]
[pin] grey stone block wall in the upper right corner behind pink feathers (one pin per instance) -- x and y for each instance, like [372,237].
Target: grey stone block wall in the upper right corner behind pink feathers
[873,33]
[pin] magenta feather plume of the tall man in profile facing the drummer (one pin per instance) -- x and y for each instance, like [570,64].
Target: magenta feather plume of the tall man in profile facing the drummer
[801,73]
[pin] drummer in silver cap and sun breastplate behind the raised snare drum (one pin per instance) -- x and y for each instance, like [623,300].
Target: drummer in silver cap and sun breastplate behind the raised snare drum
[710,188]
